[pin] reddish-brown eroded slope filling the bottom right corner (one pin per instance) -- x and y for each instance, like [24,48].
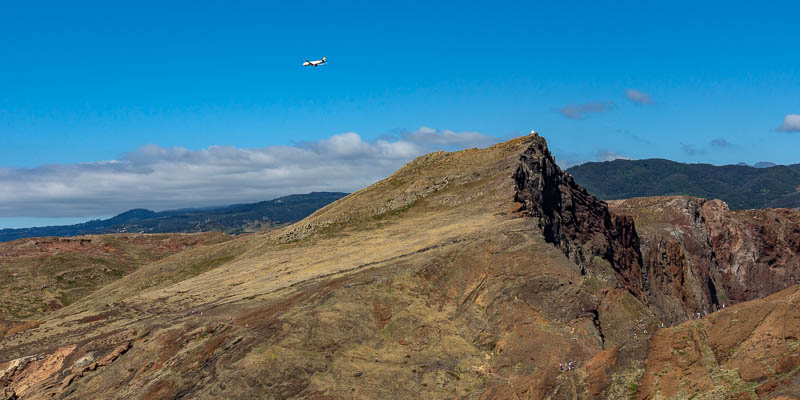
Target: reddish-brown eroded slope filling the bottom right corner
[746,351]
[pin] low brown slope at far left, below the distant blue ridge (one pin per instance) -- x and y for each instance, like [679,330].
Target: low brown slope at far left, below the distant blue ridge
[44,274]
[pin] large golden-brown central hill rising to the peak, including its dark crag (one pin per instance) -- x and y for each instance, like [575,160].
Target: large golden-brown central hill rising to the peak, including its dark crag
[463,275]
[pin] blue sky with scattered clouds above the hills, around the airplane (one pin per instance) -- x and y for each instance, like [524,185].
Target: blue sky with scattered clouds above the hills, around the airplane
[85,84]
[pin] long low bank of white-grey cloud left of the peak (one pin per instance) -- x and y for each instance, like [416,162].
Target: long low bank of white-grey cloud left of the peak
[162,178]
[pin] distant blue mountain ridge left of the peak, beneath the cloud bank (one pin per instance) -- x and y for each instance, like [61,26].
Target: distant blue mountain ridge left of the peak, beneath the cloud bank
[238,218]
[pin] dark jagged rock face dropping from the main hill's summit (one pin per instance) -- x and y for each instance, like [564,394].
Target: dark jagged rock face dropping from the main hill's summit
[575,221]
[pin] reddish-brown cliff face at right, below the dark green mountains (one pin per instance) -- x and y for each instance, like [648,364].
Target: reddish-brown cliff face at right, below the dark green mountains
[700,255]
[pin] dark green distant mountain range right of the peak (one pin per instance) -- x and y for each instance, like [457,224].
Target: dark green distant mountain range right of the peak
[741,186]
